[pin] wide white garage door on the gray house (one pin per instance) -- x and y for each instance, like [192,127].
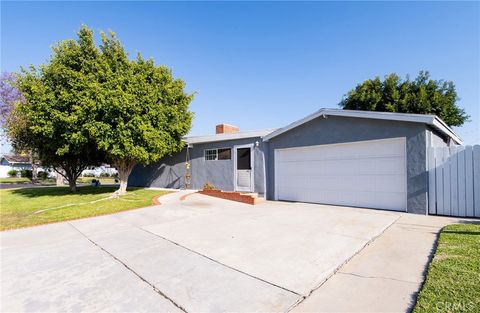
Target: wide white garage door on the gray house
[370,174]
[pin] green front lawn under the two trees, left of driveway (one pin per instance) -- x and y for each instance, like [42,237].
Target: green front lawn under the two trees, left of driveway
[34,206]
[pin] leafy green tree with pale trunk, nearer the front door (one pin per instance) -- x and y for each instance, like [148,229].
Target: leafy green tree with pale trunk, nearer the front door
[142,111]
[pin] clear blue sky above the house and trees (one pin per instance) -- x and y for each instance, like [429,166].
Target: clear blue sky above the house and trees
[262,65]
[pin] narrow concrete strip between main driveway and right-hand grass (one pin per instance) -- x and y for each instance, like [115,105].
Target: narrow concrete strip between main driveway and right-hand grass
[385,276]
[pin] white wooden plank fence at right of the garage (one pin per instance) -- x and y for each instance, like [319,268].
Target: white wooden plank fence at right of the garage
[454,181]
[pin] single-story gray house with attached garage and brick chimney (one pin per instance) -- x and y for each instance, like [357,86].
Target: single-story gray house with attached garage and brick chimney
[333,156]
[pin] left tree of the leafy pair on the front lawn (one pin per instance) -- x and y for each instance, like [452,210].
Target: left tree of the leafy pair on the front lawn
[59,103]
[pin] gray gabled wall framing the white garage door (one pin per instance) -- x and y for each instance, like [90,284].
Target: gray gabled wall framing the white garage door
[345,129]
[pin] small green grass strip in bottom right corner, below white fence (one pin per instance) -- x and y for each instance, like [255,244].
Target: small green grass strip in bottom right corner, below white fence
[453,279]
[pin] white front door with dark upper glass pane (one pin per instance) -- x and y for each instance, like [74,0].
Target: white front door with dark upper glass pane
[243,168]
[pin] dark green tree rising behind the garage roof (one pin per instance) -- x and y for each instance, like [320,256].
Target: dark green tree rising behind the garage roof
[421,95]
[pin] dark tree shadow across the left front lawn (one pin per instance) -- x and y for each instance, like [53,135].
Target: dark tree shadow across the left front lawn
[64,191]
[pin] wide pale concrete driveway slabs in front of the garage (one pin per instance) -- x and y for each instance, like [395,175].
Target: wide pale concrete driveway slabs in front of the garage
[201,254]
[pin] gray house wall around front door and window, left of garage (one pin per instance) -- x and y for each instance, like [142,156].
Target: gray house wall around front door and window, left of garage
[169,172]
